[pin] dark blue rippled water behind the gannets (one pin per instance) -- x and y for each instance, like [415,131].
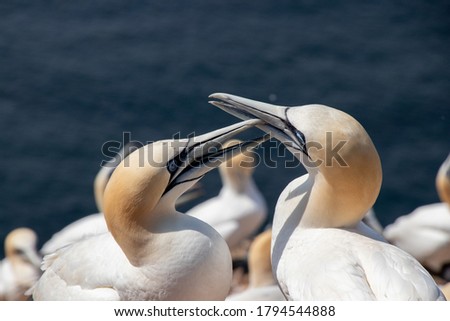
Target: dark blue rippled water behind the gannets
[74,75]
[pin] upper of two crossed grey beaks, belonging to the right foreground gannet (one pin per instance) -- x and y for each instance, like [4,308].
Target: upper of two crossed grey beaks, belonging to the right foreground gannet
[275,118]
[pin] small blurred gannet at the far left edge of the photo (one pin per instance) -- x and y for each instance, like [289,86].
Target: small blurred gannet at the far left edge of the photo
[19,270]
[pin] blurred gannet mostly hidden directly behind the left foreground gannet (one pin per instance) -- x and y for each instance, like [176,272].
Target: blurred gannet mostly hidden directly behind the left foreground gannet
[94,224]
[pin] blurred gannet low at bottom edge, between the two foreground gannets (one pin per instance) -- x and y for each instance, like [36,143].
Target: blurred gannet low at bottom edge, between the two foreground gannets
[262,285]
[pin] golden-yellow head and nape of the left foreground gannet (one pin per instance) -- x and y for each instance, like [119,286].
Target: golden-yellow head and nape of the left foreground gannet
[132,194]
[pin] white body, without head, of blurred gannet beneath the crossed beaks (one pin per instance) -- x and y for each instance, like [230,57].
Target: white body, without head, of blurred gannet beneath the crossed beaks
[235,214]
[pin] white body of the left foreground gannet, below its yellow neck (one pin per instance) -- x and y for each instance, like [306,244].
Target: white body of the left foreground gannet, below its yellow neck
[185,253]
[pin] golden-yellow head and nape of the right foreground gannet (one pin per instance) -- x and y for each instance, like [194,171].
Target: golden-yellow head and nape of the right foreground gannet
[348,182]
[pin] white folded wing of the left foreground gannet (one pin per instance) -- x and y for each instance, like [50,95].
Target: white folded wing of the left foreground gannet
[76,273]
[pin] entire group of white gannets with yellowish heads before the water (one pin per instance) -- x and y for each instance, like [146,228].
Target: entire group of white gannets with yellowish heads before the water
[140,247]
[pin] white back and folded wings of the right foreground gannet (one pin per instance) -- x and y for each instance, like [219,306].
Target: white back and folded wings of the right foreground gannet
[379,271]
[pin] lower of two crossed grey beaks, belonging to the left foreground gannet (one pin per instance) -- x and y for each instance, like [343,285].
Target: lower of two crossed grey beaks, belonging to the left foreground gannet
[203,153]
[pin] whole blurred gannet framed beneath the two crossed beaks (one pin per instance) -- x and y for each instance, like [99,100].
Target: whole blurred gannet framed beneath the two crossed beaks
[240,208]
